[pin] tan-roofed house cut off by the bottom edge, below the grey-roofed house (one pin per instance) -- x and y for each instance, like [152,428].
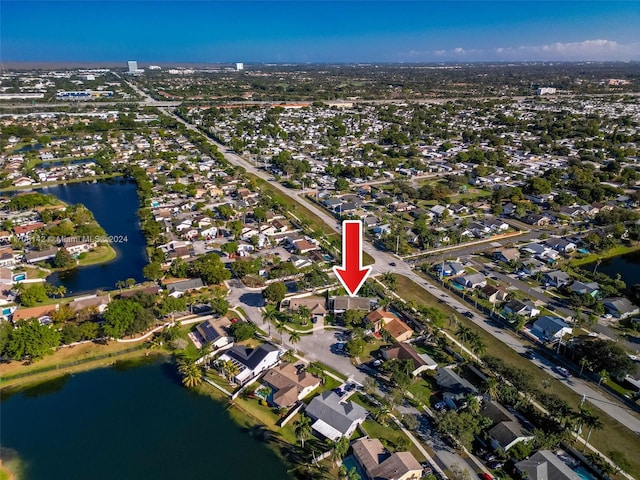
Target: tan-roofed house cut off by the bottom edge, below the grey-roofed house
[379,464]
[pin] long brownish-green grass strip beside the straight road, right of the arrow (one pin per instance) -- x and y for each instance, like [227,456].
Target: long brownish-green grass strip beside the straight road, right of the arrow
[613,435]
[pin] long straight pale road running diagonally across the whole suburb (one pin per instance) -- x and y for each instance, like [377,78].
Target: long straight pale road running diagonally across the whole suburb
[382,261]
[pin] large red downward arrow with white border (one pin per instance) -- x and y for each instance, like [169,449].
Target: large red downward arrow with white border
[352,275]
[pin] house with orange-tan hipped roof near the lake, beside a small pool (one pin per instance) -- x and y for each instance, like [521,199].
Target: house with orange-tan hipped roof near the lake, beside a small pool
[290,383]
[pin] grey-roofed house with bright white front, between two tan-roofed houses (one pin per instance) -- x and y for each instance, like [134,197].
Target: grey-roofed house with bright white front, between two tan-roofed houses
[334,418]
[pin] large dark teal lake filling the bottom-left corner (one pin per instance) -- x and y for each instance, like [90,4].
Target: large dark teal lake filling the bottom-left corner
[137,423]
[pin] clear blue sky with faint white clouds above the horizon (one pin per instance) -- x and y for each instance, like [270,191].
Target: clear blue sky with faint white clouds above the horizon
[310,31]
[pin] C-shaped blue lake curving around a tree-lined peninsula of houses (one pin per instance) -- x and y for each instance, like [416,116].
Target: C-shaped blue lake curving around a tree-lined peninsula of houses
[114,204]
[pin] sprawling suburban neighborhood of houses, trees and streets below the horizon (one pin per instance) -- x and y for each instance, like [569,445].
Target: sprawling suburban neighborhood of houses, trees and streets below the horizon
[496,335]
